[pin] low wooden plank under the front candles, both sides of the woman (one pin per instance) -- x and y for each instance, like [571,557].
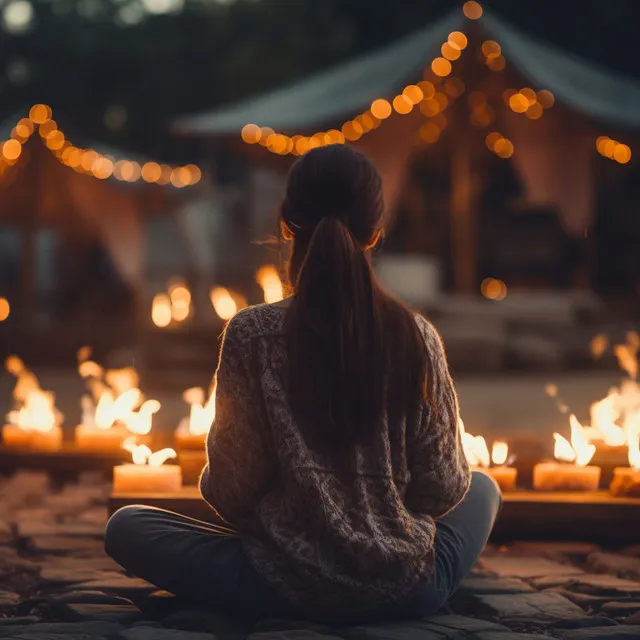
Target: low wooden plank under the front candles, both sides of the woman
[526,515]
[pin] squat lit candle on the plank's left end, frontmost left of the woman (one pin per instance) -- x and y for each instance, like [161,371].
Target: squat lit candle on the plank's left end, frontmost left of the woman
[147,474]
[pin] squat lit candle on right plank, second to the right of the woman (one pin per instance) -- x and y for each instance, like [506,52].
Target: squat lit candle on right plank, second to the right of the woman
[573,472]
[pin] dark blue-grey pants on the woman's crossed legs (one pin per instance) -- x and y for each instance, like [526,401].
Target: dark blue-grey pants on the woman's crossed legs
[206,564]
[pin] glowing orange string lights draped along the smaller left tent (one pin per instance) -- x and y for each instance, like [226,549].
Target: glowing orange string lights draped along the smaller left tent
[88,161]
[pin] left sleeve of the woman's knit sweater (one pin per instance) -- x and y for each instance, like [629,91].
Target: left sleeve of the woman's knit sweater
[239,463]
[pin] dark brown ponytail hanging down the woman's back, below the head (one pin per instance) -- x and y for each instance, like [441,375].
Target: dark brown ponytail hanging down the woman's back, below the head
[334,330]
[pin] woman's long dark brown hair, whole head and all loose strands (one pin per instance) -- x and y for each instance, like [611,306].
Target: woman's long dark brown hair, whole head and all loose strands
[354,351]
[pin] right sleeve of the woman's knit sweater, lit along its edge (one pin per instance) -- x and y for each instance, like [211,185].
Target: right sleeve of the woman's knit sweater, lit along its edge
[440,475]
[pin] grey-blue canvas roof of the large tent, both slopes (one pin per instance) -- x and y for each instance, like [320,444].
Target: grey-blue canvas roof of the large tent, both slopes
[350,87]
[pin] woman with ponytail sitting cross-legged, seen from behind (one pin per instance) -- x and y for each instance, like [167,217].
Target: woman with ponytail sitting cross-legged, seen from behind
[334,461]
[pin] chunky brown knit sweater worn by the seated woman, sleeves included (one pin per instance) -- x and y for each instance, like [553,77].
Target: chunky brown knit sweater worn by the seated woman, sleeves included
[330,542]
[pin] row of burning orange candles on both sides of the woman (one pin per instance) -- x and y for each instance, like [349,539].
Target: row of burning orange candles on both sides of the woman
[116,416]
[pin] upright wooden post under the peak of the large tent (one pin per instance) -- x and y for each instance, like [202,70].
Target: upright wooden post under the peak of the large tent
[464,235]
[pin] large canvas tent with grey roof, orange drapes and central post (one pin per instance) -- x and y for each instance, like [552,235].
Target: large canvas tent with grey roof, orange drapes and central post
[554,155]
